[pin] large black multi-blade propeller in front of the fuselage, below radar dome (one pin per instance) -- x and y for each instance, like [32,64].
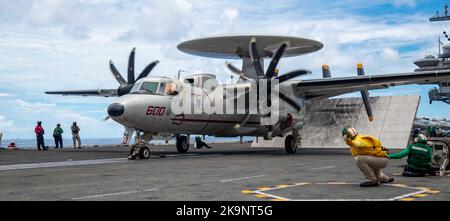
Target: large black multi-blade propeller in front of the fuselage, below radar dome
[270,76]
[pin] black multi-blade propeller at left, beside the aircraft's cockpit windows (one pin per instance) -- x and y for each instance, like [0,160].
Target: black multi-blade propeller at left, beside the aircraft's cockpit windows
[126,85]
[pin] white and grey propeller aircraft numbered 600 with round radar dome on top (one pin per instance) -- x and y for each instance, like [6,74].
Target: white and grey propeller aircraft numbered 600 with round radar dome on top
[261,103]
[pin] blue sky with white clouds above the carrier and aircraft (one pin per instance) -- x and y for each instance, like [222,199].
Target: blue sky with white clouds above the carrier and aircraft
[66,44]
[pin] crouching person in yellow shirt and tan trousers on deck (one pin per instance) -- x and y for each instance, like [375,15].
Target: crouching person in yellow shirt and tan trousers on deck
[370,156]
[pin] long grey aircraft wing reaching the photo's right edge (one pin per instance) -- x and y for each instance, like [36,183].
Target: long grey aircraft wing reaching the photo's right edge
[330,87]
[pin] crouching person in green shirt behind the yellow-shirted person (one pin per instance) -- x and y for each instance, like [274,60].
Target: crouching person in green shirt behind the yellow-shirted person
[419,158]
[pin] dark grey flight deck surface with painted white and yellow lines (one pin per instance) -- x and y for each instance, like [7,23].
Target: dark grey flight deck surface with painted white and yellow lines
[226,172]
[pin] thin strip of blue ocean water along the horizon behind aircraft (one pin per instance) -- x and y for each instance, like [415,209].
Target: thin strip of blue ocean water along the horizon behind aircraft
[68,143]
